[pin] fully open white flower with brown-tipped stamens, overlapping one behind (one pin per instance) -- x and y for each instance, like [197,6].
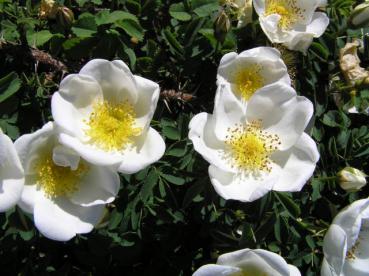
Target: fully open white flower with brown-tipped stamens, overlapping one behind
[259,148]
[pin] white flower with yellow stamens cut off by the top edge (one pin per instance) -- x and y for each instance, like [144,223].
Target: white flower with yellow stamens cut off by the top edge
[294,23]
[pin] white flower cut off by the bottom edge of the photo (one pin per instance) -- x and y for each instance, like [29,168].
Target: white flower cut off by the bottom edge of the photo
[257,262]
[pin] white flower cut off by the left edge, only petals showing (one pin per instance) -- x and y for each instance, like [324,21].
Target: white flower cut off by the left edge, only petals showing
[11,174]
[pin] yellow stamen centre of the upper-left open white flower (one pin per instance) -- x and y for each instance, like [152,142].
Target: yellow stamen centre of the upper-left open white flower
[111,126]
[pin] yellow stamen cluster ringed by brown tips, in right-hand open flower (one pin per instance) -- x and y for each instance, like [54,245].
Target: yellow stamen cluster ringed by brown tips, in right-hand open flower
[250,147]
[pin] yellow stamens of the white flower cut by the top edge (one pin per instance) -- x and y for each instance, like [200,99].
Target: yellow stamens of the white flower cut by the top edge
[288,10]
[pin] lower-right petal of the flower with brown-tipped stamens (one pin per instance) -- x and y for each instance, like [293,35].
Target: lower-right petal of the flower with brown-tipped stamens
[298,164]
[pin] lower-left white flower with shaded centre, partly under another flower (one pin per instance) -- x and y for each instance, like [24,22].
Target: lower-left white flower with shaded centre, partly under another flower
[65,193]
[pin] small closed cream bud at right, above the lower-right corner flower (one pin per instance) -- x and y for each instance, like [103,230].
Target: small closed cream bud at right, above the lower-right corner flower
[351,179]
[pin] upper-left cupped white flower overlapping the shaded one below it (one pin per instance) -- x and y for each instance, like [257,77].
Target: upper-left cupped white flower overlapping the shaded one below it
[104,113]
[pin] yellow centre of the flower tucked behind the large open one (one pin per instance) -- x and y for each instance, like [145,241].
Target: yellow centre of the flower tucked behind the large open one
[248,81]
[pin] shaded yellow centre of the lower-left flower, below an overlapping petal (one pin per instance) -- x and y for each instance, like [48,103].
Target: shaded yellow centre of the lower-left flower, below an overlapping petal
[57,180]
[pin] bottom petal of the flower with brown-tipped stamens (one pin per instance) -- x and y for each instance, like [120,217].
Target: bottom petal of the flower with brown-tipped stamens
[241,187]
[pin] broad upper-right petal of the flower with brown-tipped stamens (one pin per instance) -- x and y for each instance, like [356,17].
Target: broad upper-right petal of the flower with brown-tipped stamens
[281,112]
